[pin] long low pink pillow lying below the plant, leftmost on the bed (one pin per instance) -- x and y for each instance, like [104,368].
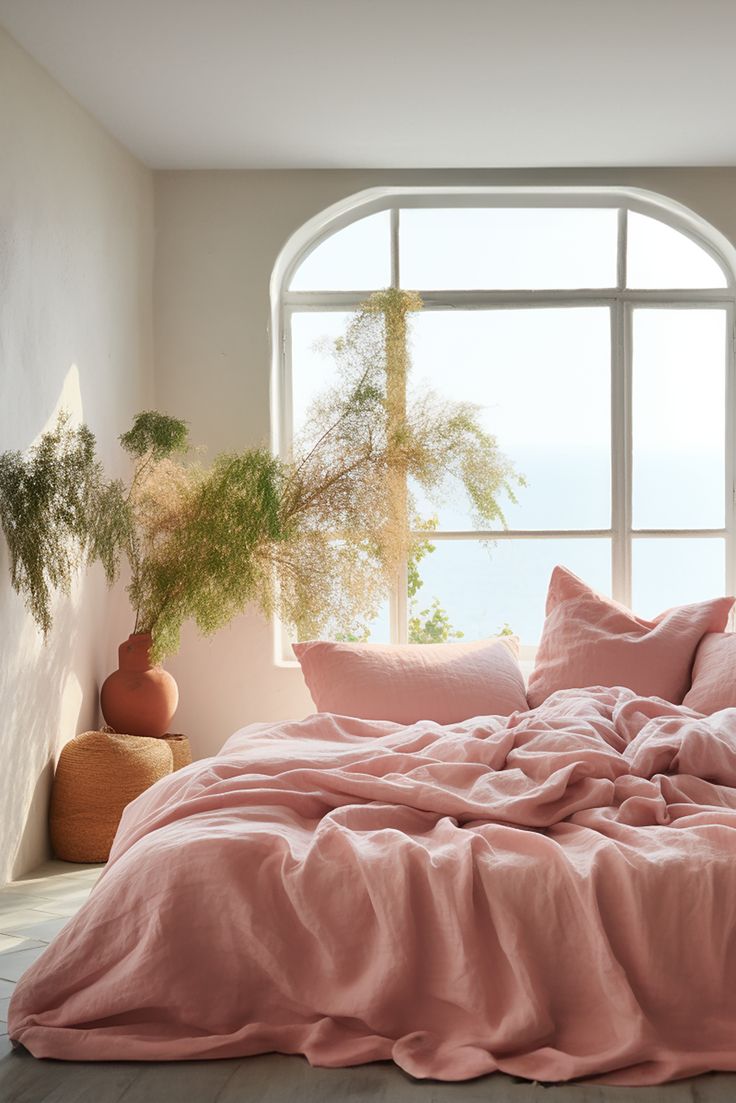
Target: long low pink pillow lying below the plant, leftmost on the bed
[442,682]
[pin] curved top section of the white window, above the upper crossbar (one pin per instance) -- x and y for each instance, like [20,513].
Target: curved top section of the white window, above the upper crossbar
[521,240]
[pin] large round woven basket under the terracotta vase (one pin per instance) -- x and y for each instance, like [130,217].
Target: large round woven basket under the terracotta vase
[99,774]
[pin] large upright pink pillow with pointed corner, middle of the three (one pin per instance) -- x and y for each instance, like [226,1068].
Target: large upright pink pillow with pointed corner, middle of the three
[592,641]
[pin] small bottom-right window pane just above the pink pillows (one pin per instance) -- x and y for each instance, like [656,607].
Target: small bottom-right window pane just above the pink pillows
[676,572]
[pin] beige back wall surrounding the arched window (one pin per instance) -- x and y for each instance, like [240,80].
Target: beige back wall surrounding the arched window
[218,238]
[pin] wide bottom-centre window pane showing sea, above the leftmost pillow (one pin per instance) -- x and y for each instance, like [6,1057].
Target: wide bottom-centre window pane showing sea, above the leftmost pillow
[482,587]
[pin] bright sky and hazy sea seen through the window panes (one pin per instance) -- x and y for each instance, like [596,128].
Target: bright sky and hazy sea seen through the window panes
[542,380]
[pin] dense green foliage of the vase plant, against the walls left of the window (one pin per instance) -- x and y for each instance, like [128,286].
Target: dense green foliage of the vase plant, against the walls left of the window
[201,543]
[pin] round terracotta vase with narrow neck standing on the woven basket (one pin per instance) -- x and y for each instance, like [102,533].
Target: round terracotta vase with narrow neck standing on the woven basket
[138,700]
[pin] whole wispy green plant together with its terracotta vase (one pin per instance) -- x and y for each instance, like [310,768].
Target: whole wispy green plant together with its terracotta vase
[317,539]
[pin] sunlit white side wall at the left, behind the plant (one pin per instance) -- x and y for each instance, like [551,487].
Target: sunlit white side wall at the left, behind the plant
[76,330]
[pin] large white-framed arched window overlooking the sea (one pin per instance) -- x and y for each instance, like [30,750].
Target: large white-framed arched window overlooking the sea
[596,331]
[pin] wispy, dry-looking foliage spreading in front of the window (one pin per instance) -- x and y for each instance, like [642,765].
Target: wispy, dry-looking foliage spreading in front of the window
[366,442]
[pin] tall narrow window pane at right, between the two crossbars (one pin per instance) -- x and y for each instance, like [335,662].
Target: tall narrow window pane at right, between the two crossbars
[679,419]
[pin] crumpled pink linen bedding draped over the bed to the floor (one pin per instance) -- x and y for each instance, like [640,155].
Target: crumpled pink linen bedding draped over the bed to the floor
[552,895]
